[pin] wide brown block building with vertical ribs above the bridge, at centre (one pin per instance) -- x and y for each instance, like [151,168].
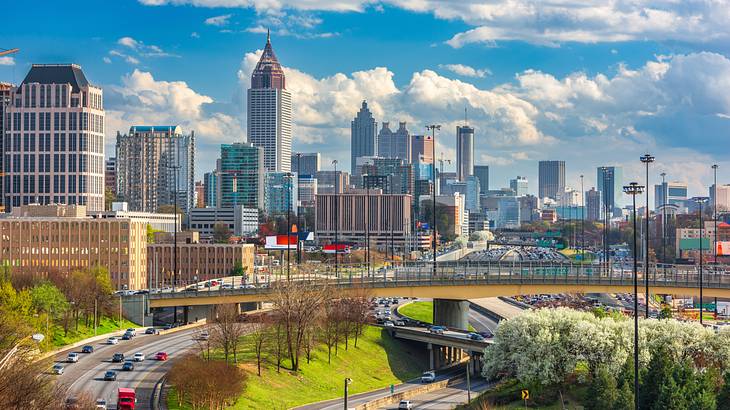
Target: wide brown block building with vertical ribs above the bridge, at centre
[388,216]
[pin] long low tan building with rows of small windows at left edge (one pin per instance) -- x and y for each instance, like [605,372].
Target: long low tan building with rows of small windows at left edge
[45,238]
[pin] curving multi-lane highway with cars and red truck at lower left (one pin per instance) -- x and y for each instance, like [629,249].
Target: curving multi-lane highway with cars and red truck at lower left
[87,374]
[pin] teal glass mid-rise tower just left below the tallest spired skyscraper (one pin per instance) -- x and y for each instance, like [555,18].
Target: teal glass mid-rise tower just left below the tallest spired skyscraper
[241,180]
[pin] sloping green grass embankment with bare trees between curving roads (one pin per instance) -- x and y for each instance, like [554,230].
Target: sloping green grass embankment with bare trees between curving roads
[378,361]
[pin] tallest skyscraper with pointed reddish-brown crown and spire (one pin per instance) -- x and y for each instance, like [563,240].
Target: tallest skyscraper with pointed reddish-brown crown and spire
[269,112]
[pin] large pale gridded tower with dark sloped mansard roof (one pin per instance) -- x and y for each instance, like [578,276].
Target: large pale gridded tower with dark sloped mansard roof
[54,139]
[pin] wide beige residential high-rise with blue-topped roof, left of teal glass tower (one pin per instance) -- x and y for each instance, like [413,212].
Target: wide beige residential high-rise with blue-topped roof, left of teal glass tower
[156,167]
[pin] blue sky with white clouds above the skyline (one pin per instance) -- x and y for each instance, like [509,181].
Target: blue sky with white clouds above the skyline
[593,84]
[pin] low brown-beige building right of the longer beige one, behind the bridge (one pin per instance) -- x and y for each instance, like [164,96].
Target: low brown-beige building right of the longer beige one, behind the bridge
[196,261]
